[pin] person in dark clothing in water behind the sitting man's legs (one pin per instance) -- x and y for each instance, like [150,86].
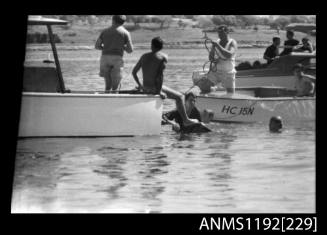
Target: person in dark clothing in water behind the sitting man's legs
[191,112]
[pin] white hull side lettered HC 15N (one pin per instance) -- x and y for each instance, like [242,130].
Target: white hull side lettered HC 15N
[250,110]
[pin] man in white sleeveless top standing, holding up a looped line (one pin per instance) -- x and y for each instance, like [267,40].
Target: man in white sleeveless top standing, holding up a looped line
[222,55]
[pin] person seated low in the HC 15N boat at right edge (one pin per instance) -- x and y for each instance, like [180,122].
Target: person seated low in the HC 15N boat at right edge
[304,83]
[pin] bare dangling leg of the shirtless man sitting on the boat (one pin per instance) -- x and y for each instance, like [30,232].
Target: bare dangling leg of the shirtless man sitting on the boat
[179,97]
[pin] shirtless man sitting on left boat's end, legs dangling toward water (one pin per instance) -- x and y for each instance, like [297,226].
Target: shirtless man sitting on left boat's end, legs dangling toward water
[153,64]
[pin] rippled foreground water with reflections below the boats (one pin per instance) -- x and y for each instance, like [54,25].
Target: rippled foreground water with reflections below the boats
[236,168]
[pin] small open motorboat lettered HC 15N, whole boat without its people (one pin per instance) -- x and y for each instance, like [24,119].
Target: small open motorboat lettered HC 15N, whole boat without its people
[257,105]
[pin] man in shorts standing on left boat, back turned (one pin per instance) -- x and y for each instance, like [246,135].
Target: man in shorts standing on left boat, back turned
[113,41]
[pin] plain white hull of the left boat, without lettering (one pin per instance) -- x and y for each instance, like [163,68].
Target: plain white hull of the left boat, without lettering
[60,115]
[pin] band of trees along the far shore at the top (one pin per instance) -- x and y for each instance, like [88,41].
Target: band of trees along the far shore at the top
[201,21]
